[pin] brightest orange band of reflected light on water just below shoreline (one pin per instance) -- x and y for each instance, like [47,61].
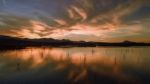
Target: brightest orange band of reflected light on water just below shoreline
[40,56]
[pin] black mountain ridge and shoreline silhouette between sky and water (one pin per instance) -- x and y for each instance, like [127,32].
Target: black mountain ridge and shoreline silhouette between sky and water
[14,42]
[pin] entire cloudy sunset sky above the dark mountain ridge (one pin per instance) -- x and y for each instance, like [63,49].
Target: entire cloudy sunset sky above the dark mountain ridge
[88,20]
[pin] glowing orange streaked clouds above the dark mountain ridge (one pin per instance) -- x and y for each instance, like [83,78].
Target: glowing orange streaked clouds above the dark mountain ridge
[84,19]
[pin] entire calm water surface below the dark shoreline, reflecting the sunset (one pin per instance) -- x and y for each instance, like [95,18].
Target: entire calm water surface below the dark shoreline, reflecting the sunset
[75,66]
